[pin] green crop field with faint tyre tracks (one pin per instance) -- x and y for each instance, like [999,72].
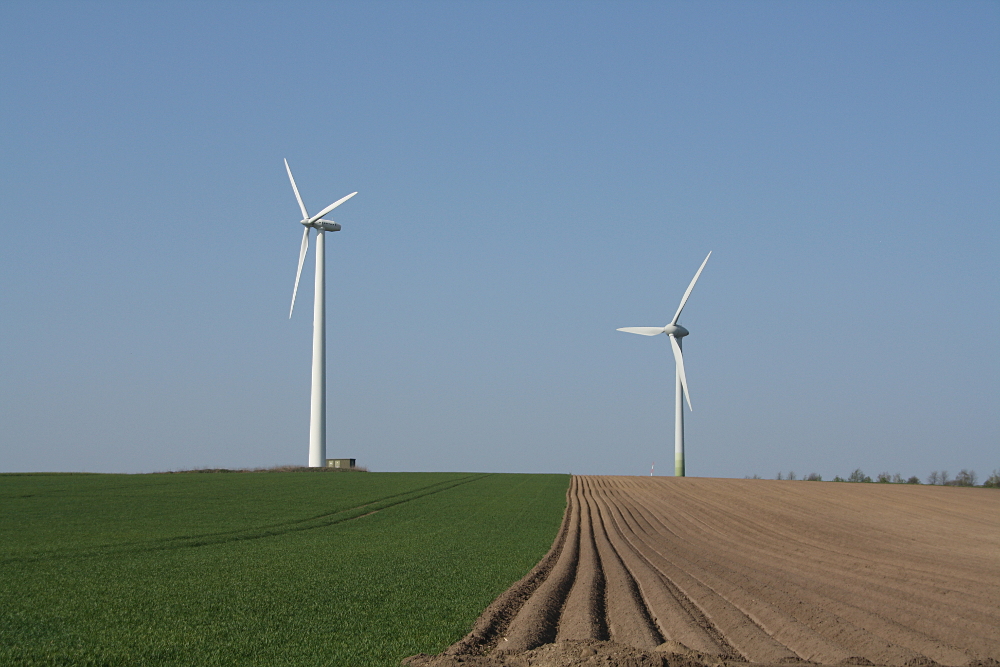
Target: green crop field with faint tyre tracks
[274,568]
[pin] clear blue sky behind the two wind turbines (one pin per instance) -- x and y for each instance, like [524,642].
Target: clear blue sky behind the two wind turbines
[532,176]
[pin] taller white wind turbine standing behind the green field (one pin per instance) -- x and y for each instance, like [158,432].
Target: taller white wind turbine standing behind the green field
[317,411]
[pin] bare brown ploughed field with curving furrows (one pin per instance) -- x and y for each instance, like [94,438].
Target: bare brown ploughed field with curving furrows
[688,572]
